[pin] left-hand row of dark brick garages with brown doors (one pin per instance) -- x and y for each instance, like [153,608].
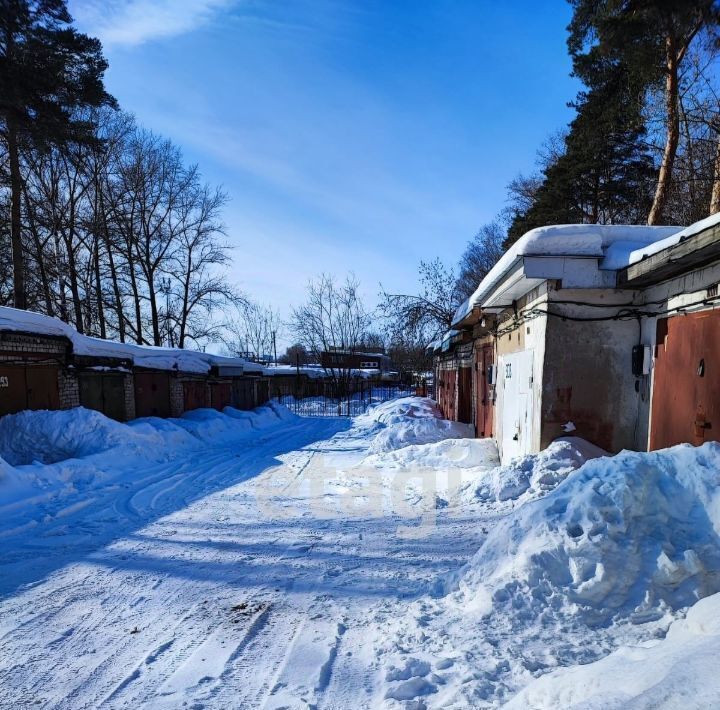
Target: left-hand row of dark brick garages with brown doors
[41,370]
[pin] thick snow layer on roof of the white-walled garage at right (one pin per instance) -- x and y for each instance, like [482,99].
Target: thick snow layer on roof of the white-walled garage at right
[580,241]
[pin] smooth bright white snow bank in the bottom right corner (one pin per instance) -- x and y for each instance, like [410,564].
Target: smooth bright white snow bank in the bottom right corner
[679,671]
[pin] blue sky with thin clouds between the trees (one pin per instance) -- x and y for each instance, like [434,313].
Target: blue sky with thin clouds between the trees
[351,136]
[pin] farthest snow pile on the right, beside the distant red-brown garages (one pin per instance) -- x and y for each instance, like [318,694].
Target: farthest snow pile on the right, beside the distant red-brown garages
[412,420]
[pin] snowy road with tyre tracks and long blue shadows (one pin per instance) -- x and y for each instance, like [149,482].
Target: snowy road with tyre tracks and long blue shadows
[253,575]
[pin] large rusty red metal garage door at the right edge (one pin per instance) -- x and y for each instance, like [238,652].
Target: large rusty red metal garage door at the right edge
[686,384]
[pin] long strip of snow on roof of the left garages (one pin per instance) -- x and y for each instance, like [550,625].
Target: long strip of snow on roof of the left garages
[159,358]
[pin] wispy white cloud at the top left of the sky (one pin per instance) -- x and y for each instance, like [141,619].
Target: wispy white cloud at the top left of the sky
[132,22]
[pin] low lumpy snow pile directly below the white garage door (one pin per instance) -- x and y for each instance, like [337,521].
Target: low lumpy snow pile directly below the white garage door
[530,475]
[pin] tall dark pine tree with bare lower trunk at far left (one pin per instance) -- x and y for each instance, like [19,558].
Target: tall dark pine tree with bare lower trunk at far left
[48,72]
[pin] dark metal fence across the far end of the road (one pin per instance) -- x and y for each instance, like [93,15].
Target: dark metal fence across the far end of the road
[325,402]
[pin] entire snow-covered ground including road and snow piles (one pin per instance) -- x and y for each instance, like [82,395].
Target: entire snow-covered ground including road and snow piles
[264,560]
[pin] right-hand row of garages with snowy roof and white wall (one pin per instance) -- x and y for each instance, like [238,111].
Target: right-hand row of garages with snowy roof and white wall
[614,337]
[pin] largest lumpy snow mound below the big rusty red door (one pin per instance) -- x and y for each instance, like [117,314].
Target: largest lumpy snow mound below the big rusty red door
[625,537]
